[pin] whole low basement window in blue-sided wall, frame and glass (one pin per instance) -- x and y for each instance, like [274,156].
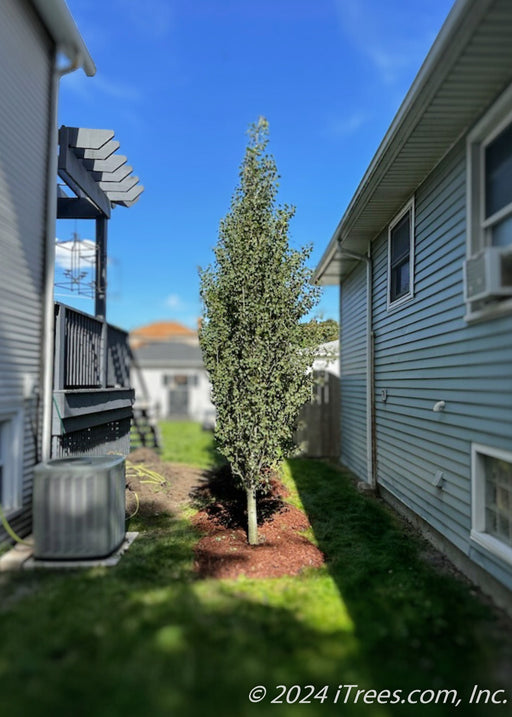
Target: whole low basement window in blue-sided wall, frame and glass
[492,500]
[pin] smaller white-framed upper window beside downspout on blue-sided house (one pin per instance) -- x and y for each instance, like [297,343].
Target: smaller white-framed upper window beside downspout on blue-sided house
[401,256]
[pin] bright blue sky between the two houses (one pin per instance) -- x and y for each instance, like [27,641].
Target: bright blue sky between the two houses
[179,81]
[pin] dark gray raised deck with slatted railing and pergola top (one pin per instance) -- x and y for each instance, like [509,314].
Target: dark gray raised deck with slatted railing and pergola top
[92,394]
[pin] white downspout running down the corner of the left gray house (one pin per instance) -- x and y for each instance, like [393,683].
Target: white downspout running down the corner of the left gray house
[49,277]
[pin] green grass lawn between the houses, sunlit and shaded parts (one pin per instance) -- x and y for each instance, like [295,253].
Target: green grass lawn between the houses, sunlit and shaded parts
[148,638]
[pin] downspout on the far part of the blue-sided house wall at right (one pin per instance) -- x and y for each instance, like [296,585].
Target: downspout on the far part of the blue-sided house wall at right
[370,400]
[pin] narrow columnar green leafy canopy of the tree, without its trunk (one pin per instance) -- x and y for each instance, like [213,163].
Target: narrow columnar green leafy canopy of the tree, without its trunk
[254,297]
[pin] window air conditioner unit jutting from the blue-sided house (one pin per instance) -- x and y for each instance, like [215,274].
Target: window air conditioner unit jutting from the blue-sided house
[488,274]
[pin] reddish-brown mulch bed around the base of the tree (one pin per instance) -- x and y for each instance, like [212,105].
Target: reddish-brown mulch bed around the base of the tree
[223,551]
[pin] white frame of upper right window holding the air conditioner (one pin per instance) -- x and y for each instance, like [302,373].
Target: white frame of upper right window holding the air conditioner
[496,119]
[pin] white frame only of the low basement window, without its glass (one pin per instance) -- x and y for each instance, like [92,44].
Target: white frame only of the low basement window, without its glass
[478,534]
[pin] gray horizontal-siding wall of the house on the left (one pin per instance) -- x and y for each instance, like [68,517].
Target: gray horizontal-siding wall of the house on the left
[25,81]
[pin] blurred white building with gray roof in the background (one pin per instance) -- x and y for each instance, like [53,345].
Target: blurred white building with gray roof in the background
[171,380]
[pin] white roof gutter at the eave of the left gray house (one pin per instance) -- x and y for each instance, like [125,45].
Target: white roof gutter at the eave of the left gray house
[59,23]
